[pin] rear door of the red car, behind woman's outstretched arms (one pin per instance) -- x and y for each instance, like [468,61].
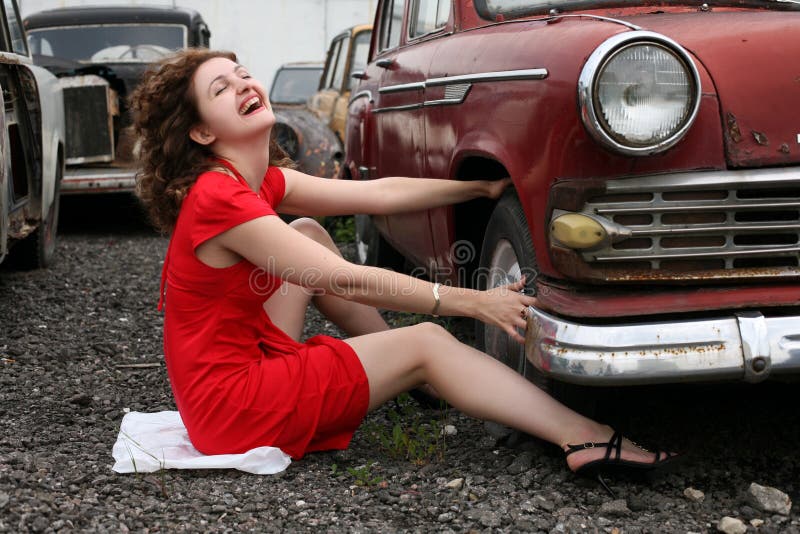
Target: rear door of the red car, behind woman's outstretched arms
[399,119]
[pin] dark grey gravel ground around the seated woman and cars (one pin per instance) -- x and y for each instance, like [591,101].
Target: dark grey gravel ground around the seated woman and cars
[70,332]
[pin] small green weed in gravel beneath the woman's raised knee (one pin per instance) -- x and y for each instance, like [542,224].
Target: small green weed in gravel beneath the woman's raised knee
[411,434]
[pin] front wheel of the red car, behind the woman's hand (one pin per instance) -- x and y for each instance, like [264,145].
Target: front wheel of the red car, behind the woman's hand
[506,255]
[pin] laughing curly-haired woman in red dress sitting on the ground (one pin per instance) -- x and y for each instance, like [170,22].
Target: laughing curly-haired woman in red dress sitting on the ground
[237,281]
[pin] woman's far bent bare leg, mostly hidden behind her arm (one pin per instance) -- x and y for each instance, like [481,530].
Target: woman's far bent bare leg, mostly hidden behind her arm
[287,307]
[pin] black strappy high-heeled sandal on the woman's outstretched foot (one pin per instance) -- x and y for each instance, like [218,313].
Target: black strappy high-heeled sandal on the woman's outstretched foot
[616,465]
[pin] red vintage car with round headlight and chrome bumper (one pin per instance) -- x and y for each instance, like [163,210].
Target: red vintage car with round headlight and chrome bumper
[654,149]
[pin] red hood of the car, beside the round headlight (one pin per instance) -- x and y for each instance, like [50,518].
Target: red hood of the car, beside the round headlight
[753,58]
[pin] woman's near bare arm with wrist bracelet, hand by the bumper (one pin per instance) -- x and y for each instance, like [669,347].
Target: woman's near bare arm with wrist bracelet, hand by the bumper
[271,244]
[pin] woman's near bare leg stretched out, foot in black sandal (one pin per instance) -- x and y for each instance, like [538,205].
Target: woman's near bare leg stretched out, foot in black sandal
[477,385]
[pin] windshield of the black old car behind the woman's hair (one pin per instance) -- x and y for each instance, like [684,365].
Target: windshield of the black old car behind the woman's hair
[126,43]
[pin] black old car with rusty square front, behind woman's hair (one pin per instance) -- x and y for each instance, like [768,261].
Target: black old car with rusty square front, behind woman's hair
[99,55]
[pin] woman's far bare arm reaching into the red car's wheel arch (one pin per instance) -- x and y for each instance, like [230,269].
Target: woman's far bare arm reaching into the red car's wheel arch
[309,195]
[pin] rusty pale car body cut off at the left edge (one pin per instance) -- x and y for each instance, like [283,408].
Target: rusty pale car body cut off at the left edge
[31,149]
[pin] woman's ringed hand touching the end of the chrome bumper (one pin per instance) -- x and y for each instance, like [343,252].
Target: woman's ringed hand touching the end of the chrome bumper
[507,308]
